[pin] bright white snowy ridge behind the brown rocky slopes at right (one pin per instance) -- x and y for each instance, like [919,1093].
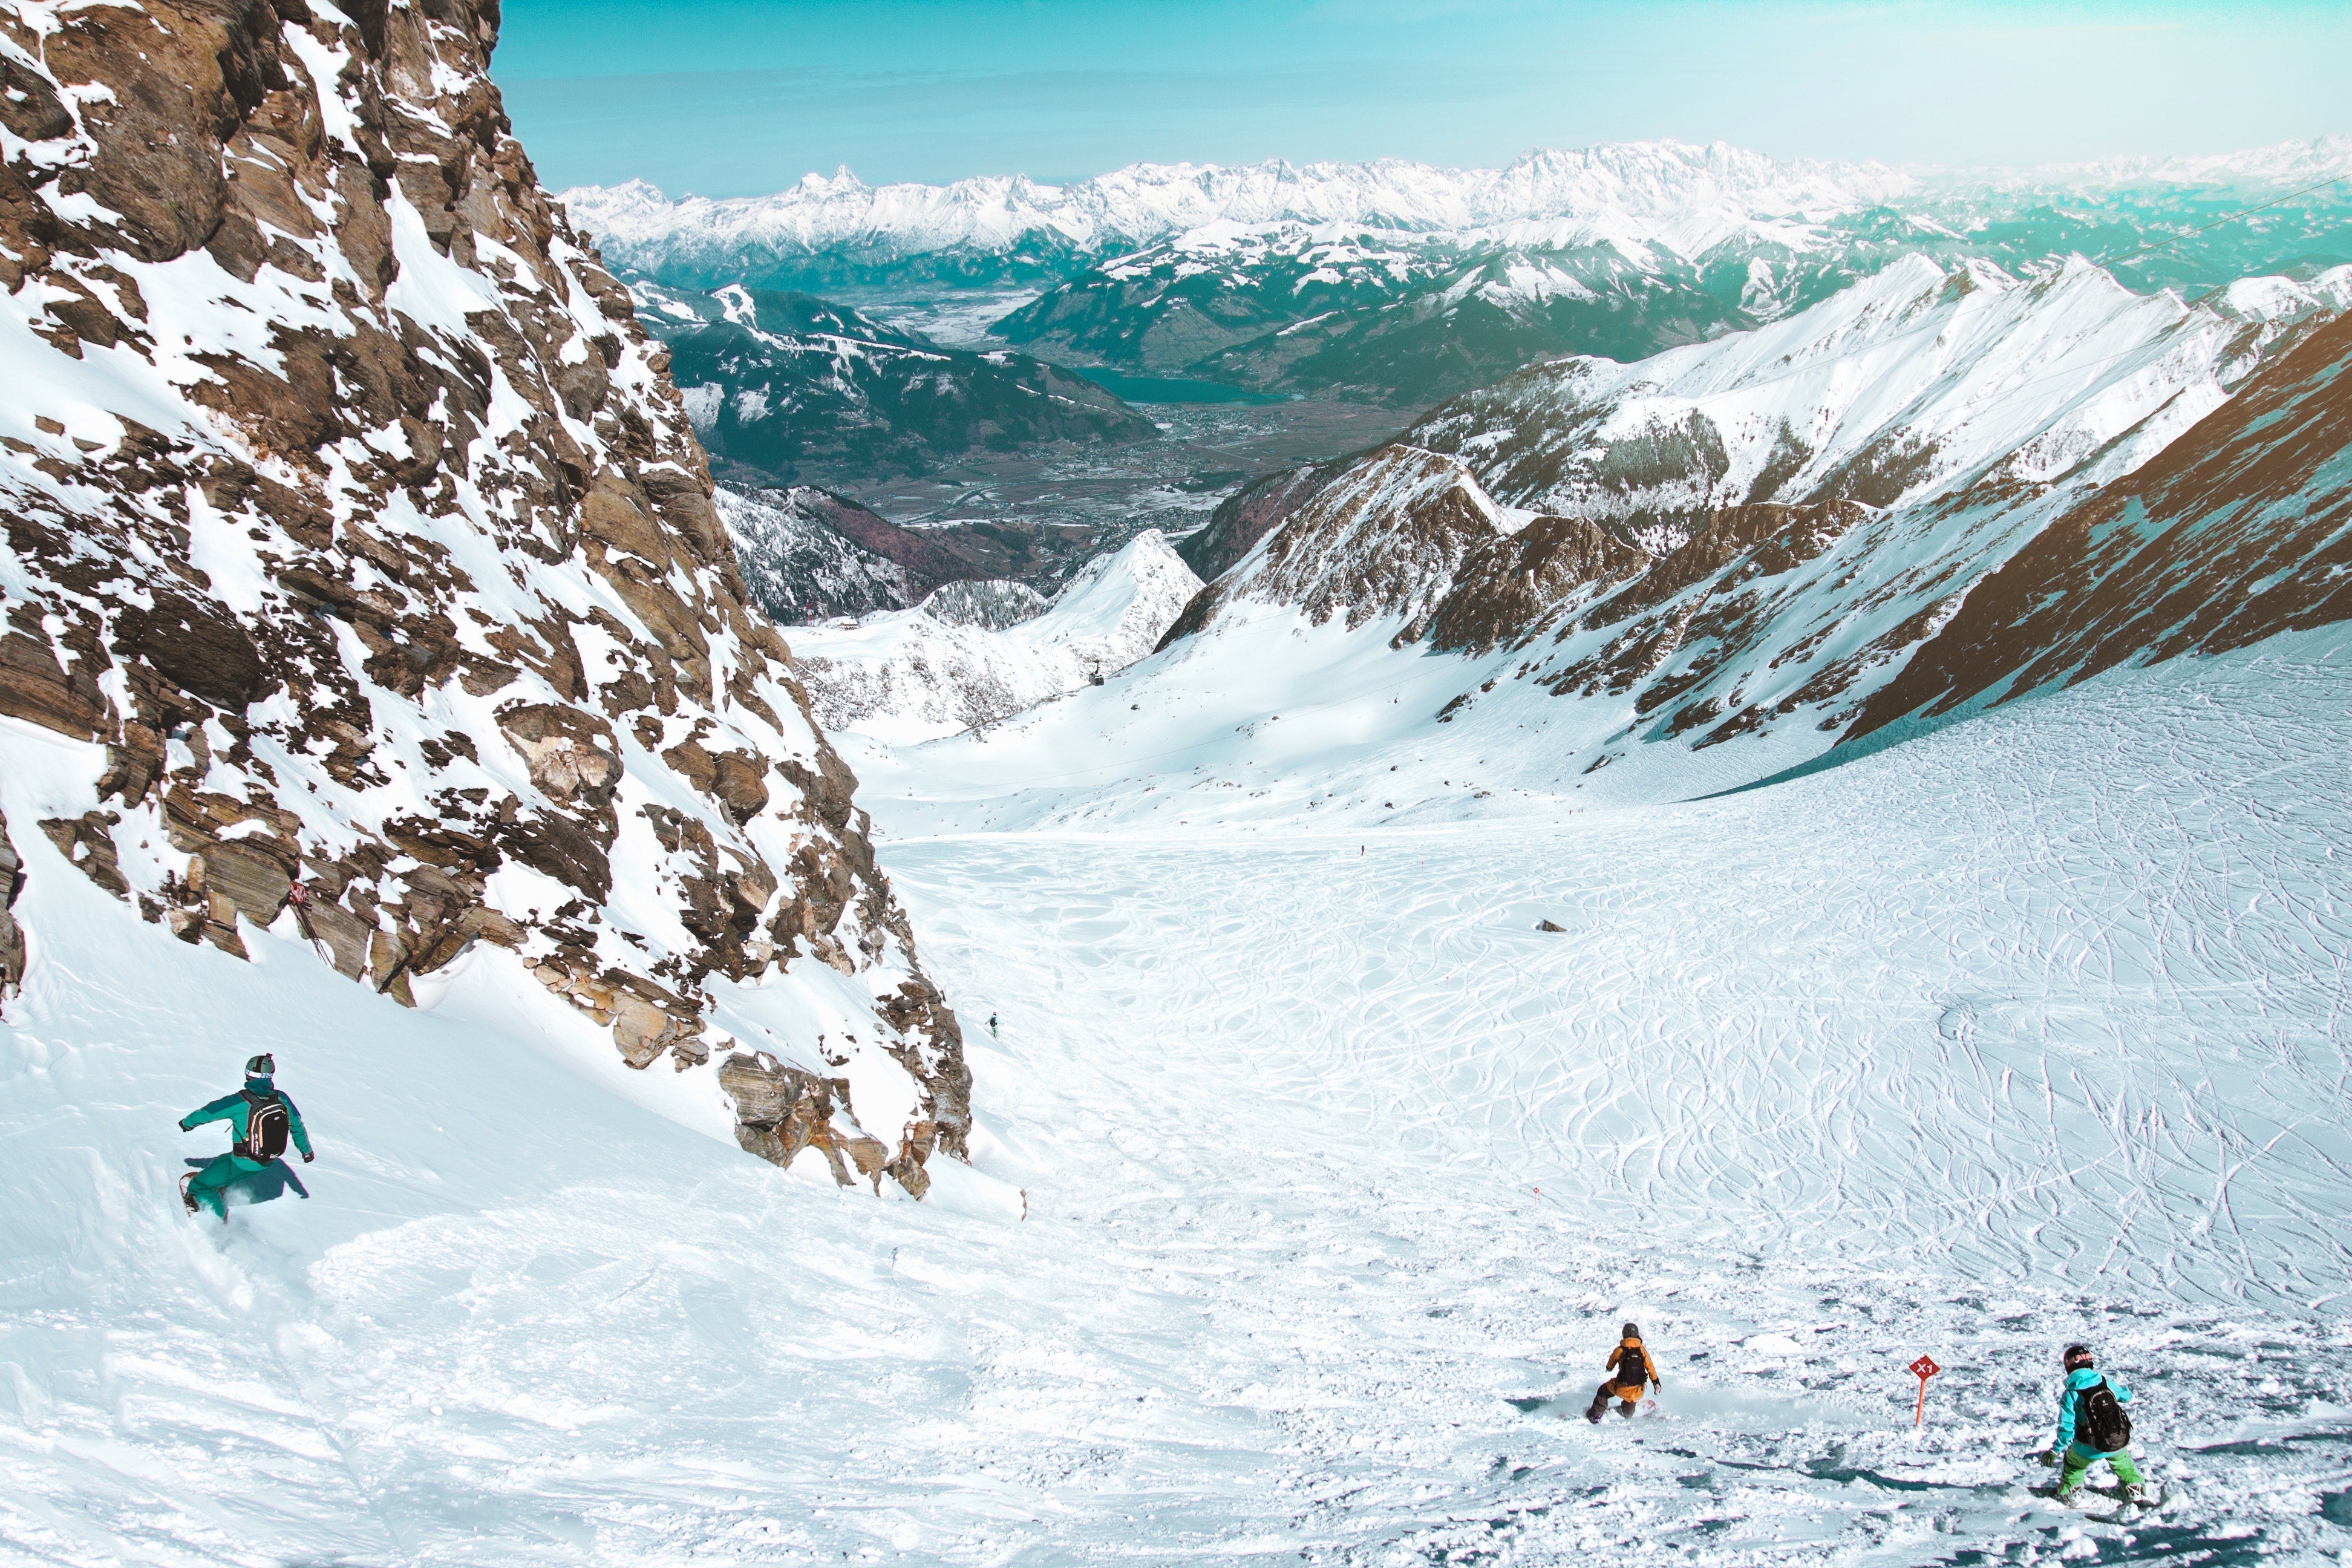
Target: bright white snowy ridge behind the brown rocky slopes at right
[1911,384]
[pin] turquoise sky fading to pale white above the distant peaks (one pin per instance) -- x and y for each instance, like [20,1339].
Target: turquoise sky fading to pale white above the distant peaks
[730,98]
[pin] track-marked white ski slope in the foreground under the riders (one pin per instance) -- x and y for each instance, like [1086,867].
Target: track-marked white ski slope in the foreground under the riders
[2019,1033]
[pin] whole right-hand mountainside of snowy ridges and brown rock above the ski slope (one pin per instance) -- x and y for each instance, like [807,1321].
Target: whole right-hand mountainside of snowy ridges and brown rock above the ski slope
[1749,540]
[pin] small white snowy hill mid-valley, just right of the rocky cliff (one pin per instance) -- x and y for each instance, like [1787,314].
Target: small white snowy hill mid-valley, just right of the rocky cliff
[975,652]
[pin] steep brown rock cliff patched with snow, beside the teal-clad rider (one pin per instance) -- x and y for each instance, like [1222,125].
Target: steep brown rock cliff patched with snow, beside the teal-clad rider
[366,537]
